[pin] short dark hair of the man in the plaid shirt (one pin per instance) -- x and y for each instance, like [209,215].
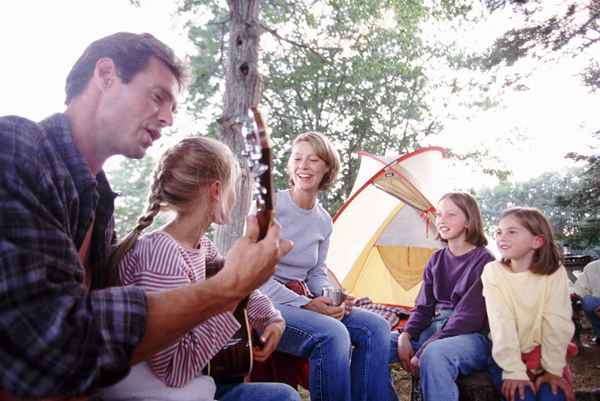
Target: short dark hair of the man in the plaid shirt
[130,52]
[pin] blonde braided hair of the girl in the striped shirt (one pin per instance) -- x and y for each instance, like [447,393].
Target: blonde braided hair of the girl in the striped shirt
[193,163]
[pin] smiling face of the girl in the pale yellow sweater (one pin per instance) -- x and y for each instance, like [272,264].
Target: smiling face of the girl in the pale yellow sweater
[514,241]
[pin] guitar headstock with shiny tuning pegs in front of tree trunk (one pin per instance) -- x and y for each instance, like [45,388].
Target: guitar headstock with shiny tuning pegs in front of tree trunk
[257,151]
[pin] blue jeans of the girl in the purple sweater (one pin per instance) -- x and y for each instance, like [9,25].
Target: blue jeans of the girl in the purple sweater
[445,359]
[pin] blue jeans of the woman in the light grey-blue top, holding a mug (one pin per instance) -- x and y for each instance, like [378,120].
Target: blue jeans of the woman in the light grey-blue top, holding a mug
[337,371]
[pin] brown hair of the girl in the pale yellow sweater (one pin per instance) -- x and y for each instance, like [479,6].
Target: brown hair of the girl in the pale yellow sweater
[547,258]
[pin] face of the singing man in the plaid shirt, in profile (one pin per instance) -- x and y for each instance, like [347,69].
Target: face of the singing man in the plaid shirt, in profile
[131,116]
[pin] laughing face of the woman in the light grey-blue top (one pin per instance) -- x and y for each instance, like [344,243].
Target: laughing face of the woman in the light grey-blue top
[306,168]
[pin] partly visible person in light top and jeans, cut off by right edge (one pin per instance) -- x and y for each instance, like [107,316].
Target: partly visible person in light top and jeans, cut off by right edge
[587,287]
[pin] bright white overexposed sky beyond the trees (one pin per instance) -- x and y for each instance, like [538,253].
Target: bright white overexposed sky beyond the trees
[40,41]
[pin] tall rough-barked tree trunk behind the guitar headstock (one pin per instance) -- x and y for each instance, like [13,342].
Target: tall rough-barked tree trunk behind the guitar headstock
[242,90]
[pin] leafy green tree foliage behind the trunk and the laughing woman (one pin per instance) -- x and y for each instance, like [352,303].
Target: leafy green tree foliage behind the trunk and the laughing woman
[353,69]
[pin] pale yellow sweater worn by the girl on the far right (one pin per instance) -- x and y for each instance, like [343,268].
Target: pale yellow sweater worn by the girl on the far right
[525,310]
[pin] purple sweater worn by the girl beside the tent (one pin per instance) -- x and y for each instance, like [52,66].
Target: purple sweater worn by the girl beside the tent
[451,282]
